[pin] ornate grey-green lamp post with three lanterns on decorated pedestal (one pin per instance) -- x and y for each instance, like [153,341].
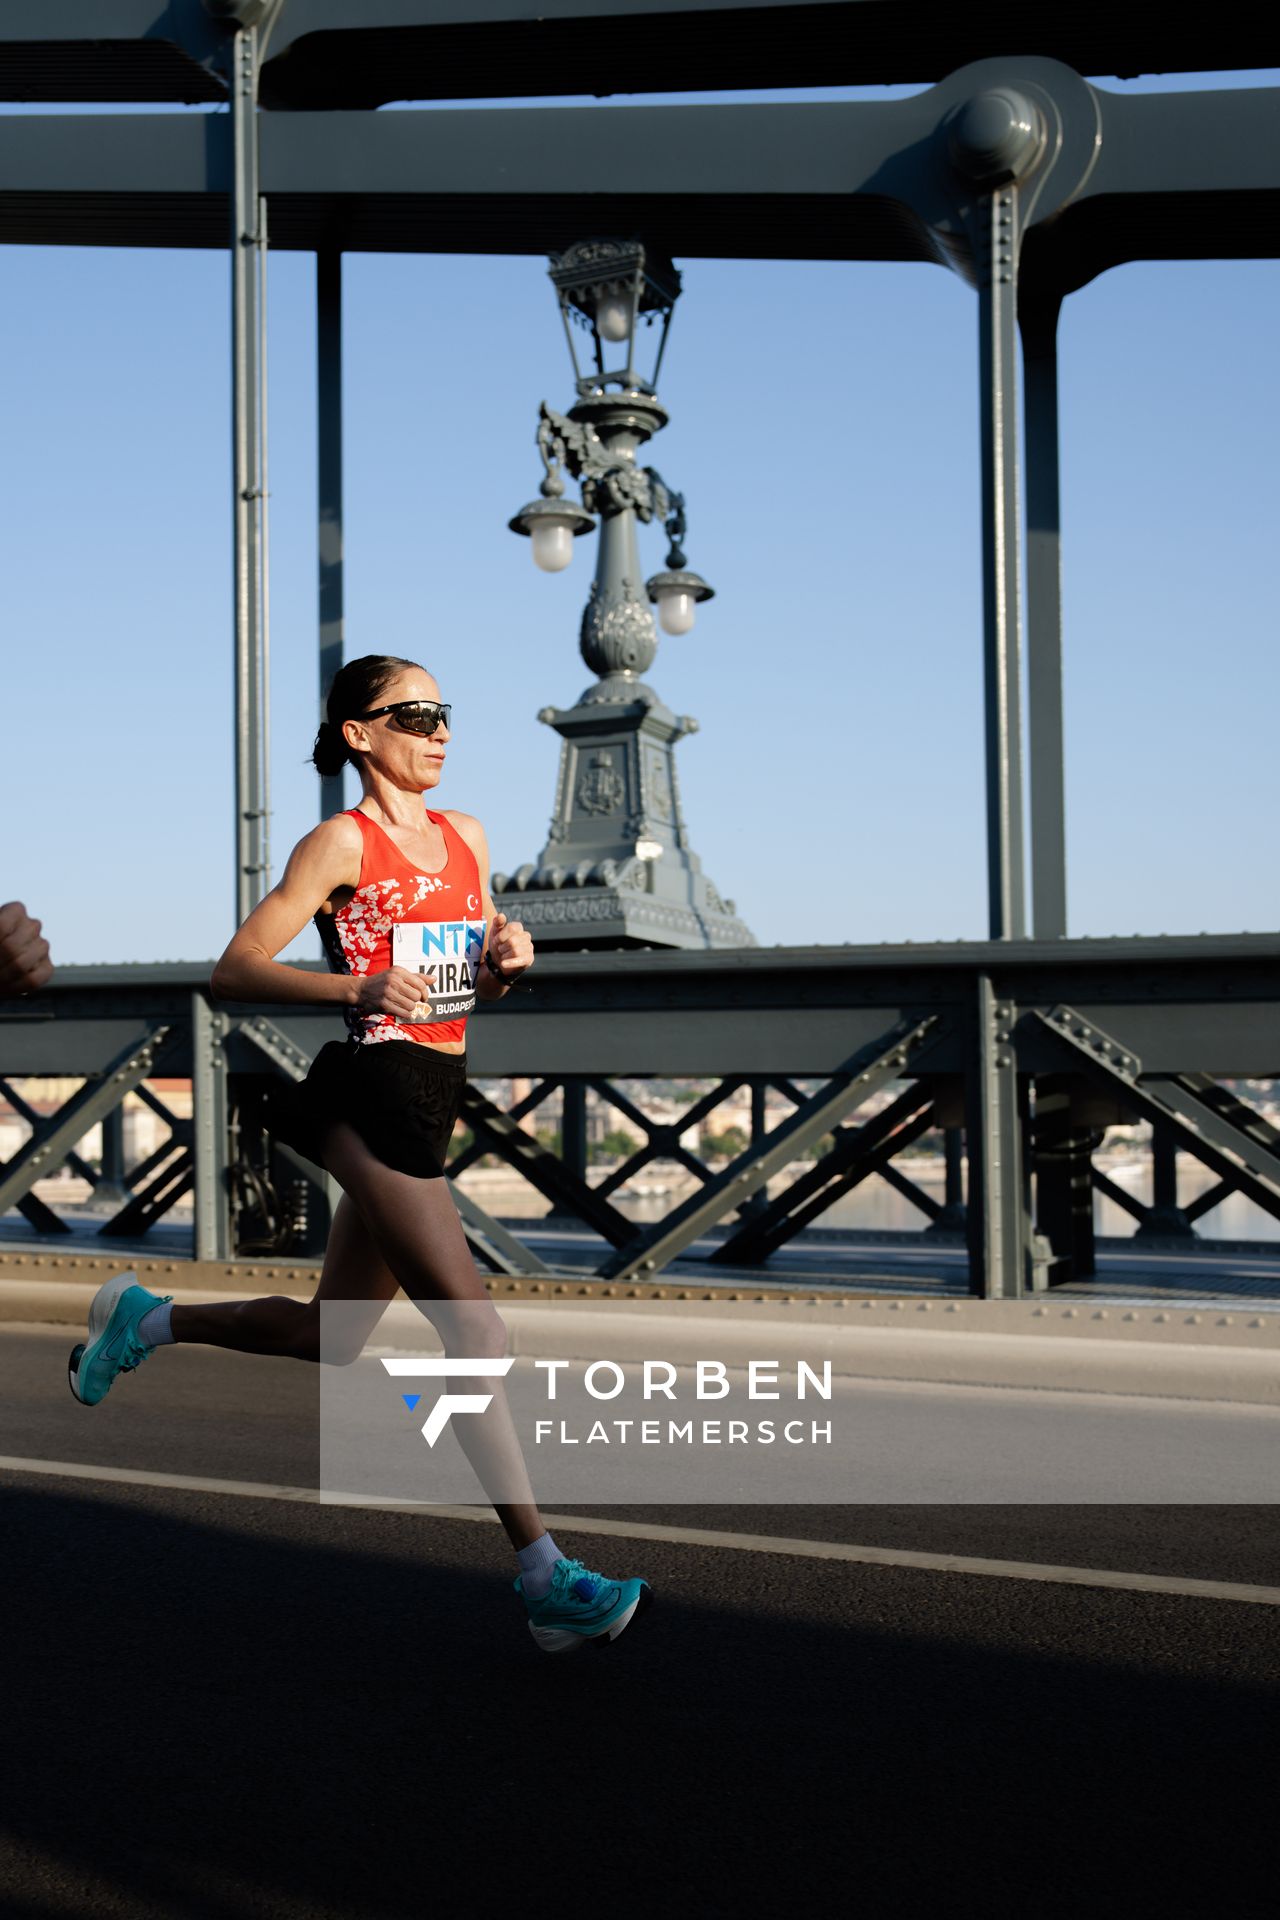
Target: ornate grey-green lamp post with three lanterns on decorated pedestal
[617,869]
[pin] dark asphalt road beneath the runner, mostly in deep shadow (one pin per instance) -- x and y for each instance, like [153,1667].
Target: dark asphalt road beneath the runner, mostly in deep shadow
[231,1706]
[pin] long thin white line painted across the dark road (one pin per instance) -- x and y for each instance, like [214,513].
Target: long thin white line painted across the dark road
[701,1537]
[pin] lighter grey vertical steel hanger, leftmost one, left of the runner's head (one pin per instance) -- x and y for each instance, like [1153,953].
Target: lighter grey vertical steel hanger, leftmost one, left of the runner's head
[249,481]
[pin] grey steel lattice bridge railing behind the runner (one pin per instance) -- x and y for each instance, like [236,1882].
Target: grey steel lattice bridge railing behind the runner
[1022,1051]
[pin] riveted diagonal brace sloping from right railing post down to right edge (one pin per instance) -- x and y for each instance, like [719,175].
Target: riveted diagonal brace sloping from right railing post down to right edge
[1204,1118]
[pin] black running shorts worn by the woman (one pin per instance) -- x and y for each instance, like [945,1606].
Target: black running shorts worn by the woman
[400,1097]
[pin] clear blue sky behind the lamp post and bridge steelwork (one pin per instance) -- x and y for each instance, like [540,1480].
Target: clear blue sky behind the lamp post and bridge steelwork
[824,429]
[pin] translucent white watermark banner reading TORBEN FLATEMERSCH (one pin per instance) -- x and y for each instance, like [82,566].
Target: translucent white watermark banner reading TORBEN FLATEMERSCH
[435,1406]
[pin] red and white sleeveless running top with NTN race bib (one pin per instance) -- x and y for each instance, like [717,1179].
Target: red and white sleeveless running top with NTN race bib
[433,924]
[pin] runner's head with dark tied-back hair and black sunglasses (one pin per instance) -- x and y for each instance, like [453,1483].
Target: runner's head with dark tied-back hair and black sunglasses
[383,713]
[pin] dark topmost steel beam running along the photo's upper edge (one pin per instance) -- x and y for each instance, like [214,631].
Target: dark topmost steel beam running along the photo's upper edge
[367,53]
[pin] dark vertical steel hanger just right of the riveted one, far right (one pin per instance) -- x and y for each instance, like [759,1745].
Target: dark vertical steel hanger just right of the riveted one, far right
[1045,642]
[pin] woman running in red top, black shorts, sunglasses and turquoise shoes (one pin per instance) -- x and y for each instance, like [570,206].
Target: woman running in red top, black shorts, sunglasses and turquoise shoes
[379,1111]
